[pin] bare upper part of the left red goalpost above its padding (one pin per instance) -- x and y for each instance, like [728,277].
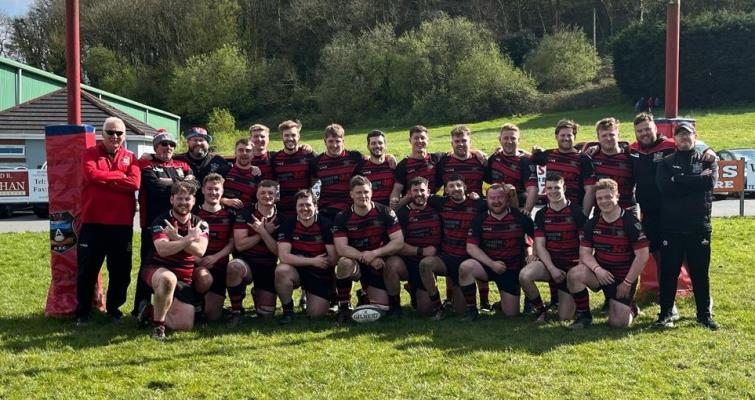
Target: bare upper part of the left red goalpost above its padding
[73,66]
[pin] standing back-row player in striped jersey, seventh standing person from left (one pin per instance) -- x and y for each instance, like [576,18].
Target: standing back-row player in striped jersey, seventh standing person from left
[335,168]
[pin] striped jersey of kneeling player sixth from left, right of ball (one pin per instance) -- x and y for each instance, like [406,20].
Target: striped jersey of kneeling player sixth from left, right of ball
[421,227]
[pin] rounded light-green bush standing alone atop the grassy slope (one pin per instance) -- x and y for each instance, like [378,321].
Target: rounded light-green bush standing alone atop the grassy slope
[564,60]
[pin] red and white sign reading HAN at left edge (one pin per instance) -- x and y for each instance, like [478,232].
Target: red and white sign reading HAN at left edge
[28,186]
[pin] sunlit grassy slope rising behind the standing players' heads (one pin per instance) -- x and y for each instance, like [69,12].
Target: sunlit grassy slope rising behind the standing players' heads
[721,128]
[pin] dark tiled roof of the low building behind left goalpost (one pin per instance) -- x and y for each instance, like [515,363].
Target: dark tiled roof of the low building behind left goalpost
[31,118]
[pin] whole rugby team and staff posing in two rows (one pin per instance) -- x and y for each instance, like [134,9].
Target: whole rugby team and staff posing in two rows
[578,218]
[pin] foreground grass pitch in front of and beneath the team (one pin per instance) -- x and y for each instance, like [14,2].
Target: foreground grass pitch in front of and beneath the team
[411,358]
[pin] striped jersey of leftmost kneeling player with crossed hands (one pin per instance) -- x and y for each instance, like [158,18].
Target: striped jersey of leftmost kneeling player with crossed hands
[181,263]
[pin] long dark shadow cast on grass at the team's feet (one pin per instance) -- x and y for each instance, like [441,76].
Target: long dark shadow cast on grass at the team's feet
[452,335]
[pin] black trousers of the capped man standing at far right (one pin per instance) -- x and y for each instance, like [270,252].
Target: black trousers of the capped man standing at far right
[695,248]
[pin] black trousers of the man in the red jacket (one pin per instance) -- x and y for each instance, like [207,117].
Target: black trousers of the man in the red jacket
[97,242]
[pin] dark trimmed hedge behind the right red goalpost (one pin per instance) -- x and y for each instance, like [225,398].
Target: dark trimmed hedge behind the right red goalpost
[717,62]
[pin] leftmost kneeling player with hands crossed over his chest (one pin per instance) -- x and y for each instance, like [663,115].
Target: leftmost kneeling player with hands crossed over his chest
[179,238]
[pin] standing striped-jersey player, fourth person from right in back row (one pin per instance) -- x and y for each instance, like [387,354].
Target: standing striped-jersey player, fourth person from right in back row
[575,167]
